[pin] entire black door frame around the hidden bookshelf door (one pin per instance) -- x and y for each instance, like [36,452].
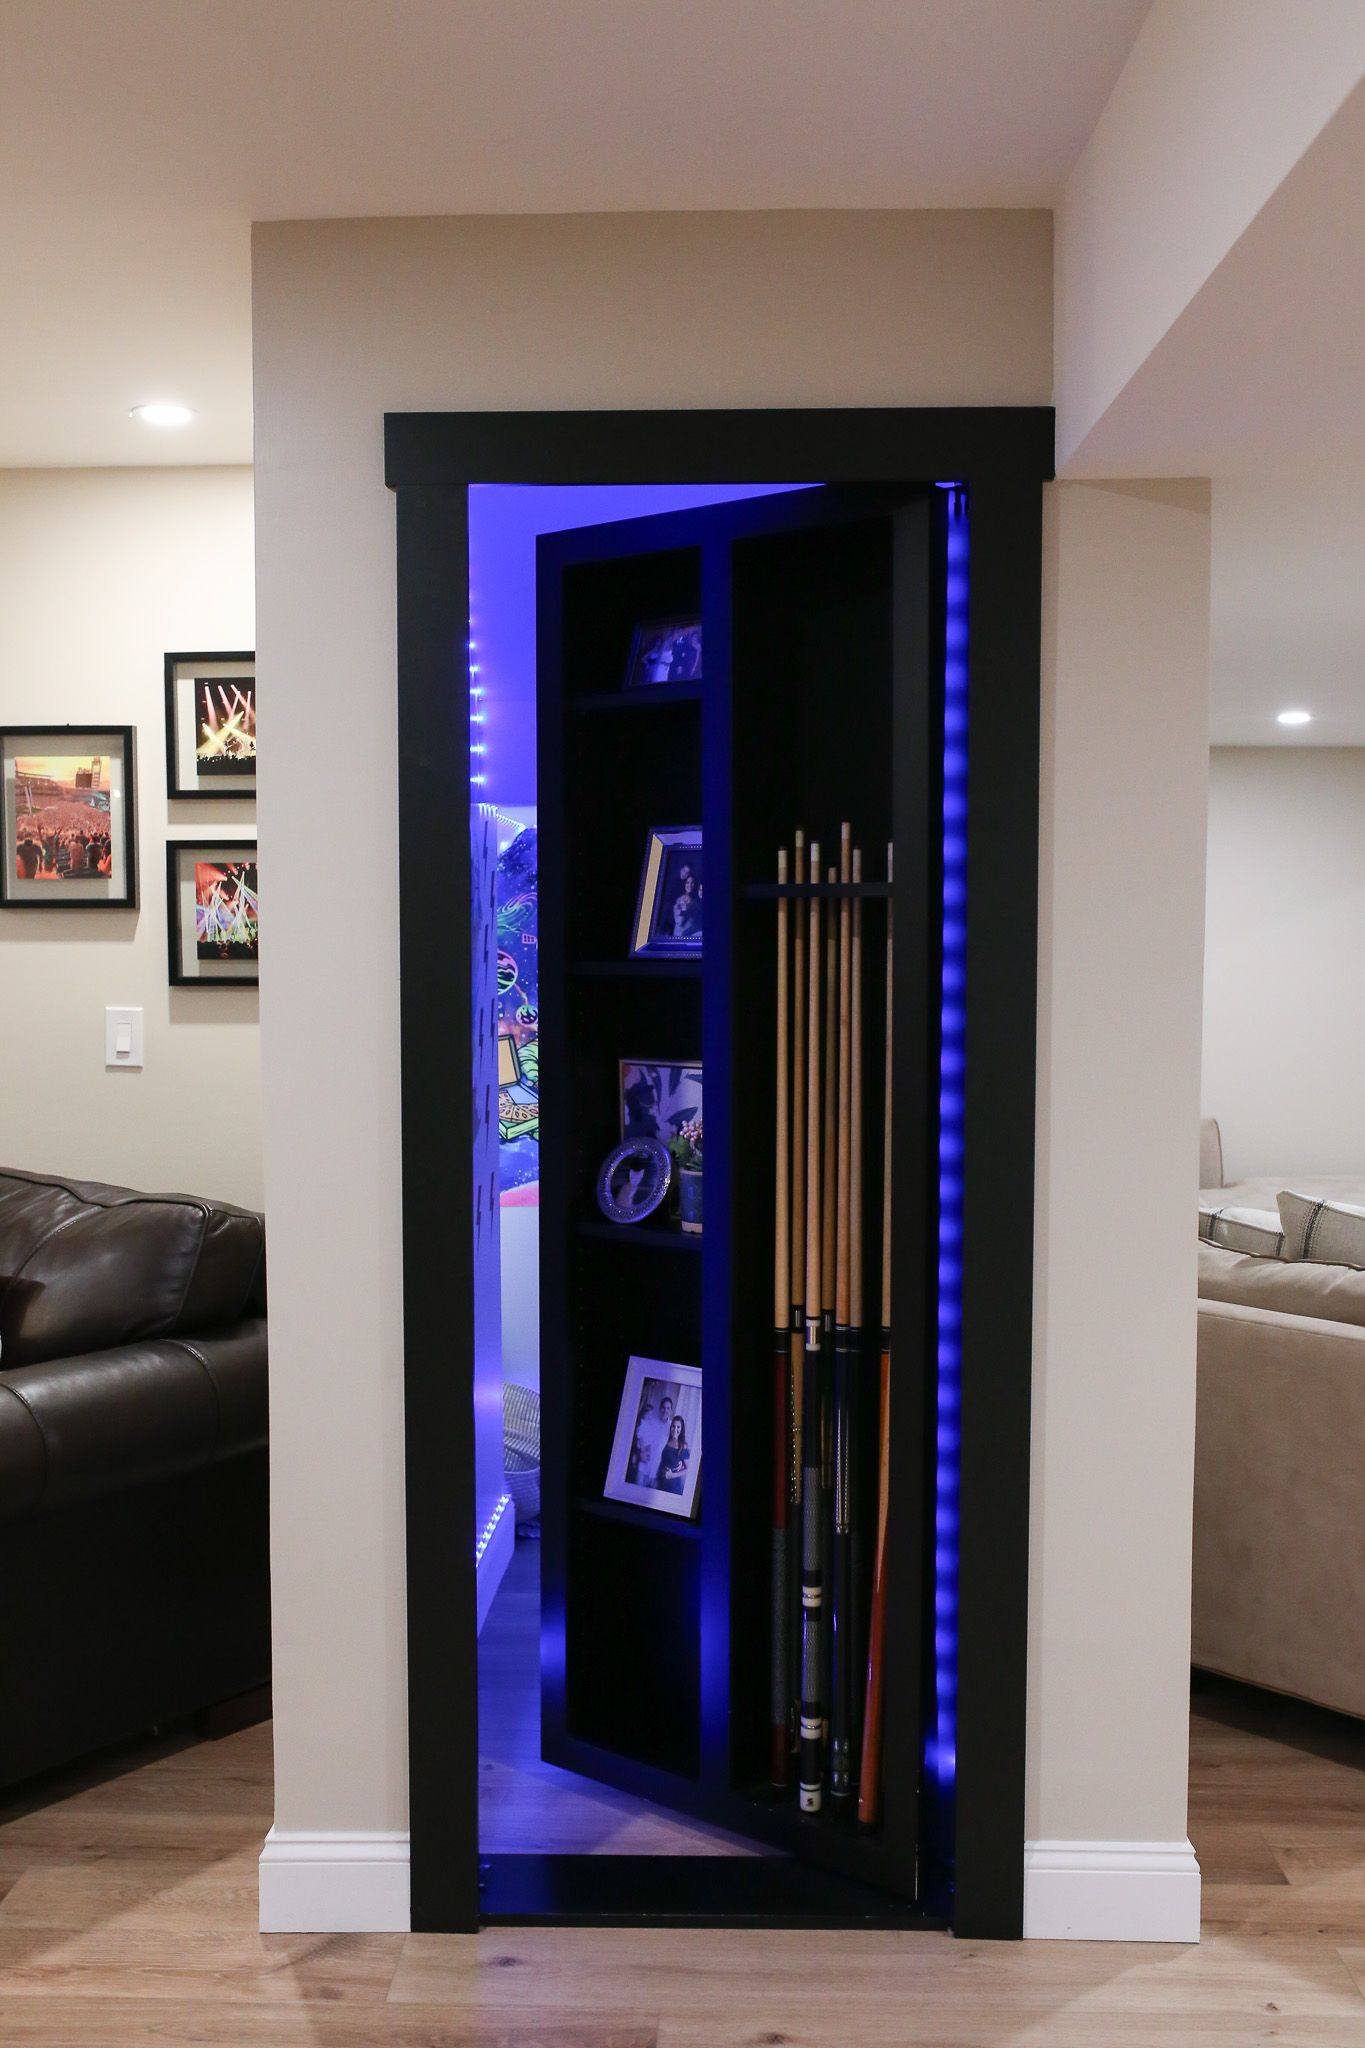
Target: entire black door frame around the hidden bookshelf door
[431,460]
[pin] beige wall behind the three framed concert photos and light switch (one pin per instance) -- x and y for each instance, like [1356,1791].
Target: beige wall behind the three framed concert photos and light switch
[101,574]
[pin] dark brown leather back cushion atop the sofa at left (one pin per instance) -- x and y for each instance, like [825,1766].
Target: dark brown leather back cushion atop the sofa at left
[87,1267]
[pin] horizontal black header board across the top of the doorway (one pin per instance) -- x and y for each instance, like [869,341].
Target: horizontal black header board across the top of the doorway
[836,445]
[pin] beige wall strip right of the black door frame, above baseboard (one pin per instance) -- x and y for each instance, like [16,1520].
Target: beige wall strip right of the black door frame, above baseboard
[1118,1097]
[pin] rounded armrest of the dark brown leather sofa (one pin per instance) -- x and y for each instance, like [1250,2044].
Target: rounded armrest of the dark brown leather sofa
[75,1428]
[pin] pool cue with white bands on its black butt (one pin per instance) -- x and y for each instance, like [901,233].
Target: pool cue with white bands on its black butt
[811,1580]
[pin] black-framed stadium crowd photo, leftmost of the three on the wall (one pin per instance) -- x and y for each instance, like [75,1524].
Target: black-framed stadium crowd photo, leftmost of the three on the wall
[71,818]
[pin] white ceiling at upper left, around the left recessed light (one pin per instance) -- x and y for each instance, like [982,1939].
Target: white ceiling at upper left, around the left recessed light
[140,138]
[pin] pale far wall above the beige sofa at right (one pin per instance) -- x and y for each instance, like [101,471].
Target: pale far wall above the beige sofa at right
[1284,994]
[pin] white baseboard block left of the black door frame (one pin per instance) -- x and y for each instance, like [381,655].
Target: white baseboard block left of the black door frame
[335,1883]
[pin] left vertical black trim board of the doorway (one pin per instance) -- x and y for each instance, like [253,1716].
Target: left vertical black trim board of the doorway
[437,1127]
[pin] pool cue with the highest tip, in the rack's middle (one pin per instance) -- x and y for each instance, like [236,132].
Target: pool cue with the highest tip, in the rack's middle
[842,1584]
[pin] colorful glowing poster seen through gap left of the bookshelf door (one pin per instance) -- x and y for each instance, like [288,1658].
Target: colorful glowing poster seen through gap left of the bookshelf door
[519,1009]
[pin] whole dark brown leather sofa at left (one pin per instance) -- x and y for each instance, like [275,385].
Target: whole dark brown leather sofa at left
[132,1463]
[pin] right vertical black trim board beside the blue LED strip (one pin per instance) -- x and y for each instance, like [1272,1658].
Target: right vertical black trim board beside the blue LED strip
[998,1291]
